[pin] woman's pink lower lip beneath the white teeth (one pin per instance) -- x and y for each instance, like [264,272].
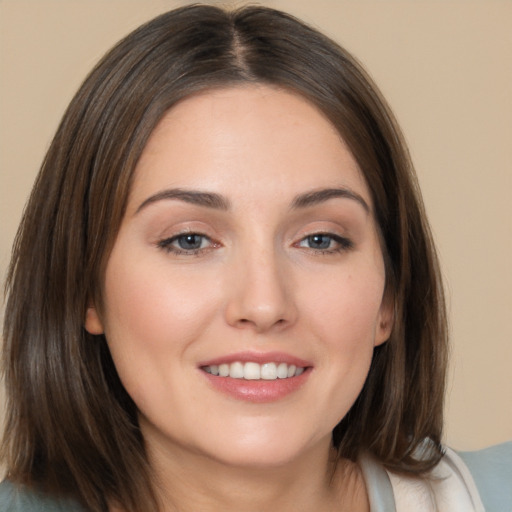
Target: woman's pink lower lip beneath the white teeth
[257,391]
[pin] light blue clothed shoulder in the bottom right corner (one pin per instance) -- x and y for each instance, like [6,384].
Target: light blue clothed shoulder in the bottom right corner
[491,470]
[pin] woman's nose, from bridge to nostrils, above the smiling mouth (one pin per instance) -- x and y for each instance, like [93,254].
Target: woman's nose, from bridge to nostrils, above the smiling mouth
[261,292]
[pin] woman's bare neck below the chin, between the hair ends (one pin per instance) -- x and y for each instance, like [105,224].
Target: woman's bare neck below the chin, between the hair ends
[316,481]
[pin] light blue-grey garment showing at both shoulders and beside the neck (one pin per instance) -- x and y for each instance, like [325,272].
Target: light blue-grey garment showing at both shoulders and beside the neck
[491,470]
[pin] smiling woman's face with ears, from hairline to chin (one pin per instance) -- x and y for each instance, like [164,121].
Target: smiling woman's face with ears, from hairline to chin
[244,292]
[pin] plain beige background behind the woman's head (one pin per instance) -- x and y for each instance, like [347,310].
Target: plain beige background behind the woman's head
[445,67]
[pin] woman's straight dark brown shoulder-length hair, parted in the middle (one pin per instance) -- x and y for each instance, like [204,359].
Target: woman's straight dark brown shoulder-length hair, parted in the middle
[71,428]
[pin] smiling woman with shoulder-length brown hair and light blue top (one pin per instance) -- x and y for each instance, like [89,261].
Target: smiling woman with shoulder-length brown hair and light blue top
[224,293]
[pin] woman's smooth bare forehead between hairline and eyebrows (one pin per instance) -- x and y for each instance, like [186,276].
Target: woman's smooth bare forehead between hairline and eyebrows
[246,139]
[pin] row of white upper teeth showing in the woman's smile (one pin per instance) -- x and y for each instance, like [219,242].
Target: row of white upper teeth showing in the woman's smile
[255,371]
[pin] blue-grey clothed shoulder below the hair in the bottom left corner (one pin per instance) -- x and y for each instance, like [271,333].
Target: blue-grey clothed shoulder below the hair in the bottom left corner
[14,498]
